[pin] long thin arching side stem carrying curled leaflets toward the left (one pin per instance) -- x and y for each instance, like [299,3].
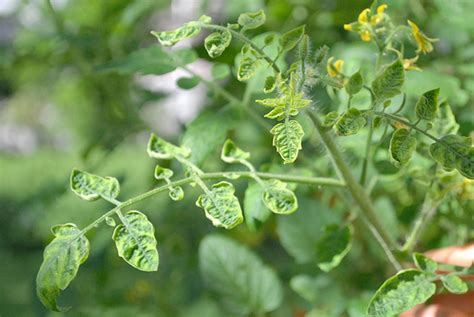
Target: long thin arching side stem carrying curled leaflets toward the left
[319,181]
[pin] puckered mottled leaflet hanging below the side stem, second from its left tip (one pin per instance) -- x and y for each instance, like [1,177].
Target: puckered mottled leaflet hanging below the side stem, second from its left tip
[135,241]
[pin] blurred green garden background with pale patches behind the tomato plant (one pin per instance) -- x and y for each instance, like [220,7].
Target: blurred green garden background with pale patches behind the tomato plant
[57,111]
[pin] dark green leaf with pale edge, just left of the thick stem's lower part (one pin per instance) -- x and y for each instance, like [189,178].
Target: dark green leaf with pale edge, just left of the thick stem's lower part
[333,245]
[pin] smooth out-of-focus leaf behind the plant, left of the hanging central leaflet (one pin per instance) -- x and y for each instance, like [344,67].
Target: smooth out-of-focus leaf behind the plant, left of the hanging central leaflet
[207,132]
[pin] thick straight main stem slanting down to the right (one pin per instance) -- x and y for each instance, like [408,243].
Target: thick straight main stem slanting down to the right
[358,193]
